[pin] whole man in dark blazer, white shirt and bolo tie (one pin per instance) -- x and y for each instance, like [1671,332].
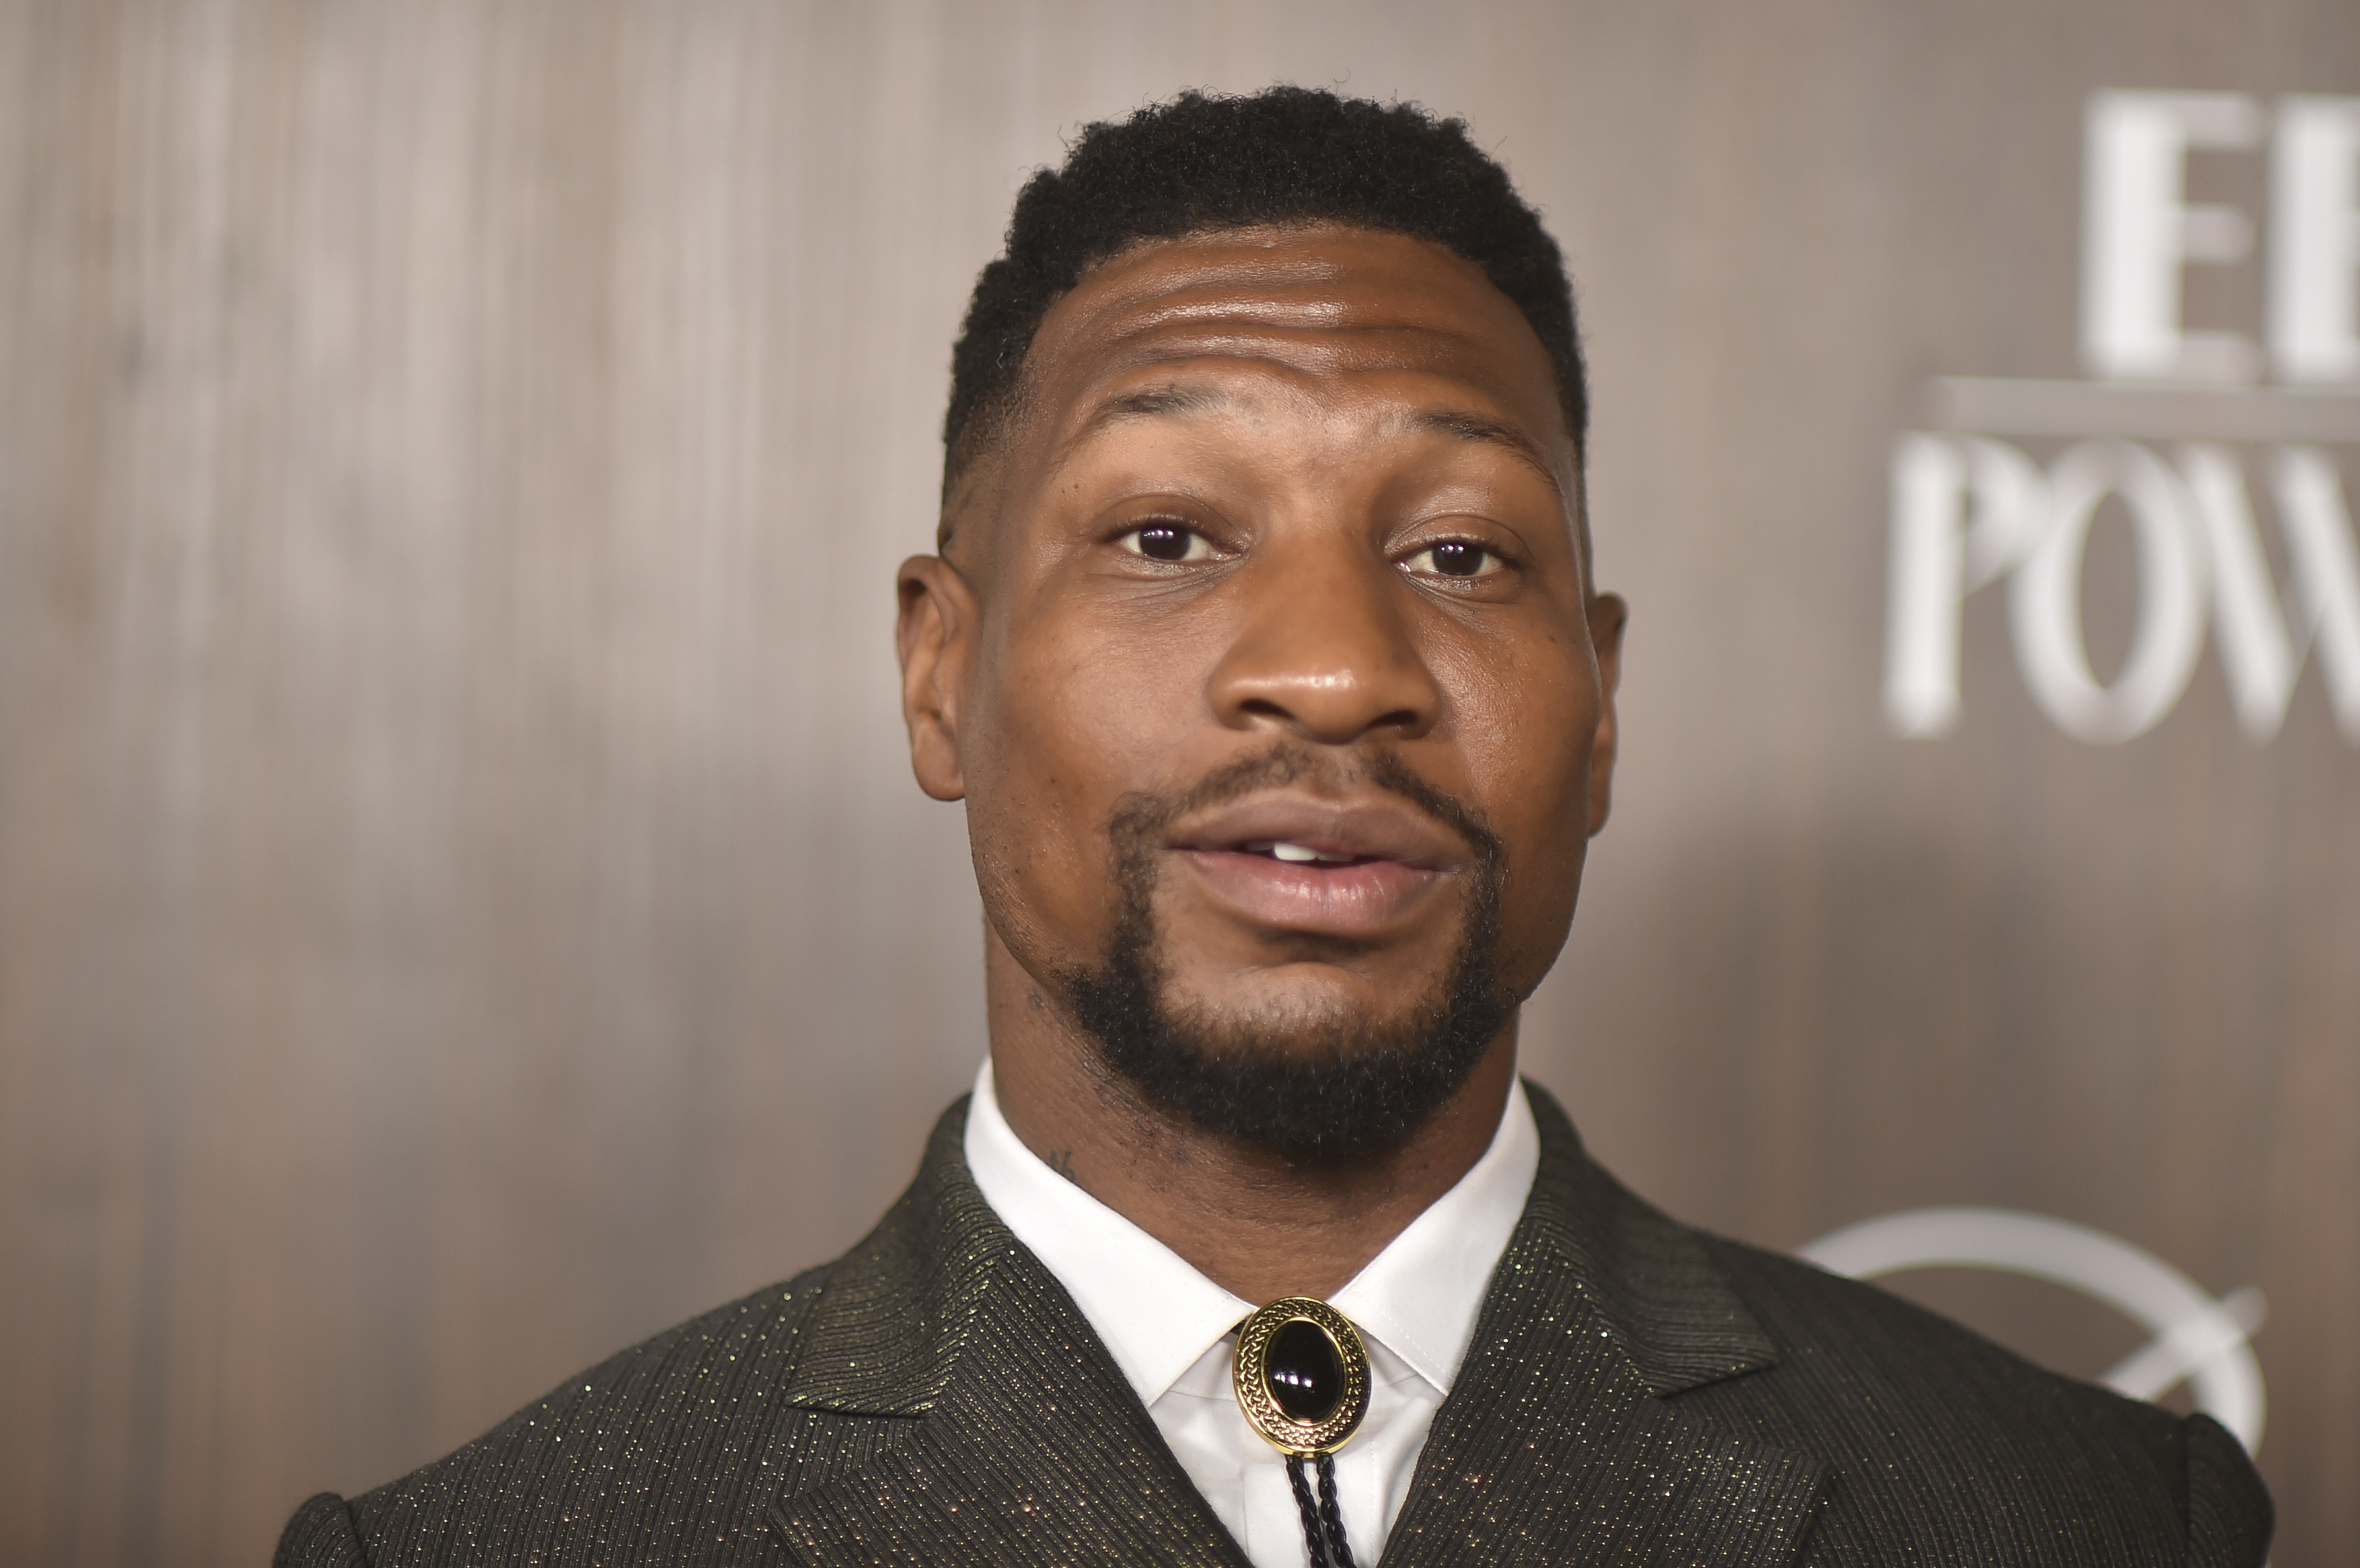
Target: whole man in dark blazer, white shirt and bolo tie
[1264,652]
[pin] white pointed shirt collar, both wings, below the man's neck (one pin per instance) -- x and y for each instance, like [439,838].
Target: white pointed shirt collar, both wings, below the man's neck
[1160,1317]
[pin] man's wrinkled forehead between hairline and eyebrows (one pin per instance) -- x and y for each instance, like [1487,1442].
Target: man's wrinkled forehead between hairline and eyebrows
[1327,312]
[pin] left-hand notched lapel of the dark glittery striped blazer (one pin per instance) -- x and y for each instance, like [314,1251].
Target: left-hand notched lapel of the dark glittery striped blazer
[1025,1442]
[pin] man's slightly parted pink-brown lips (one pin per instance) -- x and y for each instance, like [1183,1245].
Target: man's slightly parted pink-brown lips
[1330,869]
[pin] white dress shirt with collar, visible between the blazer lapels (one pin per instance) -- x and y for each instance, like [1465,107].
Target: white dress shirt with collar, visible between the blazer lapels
[1172,1331]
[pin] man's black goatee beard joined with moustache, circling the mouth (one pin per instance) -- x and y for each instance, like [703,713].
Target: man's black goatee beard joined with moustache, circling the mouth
[1311,1083]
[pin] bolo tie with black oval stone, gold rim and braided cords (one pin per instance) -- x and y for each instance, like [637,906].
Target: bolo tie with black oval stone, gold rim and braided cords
[1302,1378]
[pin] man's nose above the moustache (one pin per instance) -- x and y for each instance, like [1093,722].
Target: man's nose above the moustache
[1325,650]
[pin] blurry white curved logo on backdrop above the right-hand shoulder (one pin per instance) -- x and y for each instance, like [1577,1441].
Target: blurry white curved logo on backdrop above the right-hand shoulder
[2196,1336]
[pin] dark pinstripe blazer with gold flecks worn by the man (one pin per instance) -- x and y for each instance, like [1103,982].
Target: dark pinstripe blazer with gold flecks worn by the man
[1637,1395]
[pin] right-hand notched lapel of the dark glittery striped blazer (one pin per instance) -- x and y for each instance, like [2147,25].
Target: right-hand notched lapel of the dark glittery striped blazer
[1561,1439]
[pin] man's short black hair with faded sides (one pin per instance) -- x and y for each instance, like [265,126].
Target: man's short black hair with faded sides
[1280,157]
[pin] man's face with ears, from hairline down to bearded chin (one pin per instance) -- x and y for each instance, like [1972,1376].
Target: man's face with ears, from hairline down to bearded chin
[1266,659]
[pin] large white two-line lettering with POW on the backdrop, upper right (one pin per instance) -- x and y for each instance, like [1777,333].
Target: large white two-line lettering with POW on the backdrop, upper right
[2177,426]
